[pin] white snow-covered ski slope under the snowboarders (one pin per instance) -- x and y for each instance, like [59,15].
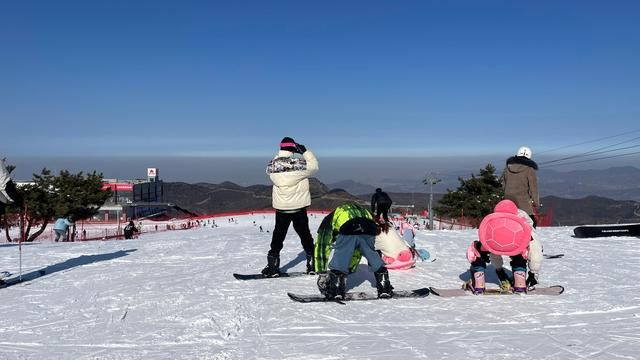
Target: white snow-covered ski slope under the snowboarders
[172,296]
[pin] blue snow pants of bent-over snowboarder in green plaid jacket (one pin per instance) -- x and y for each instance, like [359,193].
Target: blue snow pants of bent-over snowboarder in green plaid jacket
[344,247]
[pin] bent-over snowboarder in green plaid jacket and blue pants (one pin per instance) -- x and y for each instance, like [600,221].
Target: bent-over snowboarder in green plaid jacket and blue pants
[350,231]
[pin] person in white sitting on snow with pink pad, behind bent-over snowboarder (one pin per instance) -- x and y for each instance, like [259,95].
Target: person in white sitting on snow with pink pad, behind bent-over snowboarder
[396,254]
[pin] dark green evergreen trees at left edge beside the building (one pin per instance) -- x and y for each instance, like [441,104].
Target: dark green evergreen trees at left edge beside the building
[48,197]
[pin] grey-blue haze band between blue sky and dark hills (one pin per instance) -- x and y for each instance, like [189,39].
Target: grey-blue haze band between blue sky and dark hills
[245,171]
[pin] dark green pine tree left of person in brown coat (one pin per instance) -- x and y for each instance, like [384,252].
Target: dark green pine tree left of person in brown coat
[475,197]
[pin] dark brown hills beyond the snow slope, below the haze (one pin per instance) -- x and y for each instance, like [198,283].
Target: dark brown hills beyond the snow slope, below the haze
[204,198]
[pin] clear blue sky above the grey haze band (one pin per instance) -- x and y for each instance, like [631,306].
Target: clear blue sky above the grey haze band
[355,78]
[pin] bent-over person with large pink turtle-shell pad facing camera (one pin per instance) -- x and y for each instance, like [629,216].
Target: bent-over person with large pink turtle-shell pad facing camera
[501,233]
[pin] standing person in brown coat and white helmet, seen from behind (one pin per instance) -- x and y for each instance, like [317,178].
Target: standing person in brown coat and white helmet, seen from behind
[520,182]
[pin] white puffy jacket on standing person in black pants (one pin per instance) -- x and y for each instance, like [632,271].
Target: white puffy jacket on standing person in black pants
[291,188]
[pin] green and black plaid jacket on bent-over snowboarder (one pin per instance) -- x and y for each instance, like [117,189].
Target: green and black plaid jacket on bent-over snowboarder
[330,228]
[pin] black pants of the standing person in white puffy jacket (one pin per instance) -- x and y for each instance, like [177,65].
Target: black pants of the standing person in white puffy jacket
[300,225]
